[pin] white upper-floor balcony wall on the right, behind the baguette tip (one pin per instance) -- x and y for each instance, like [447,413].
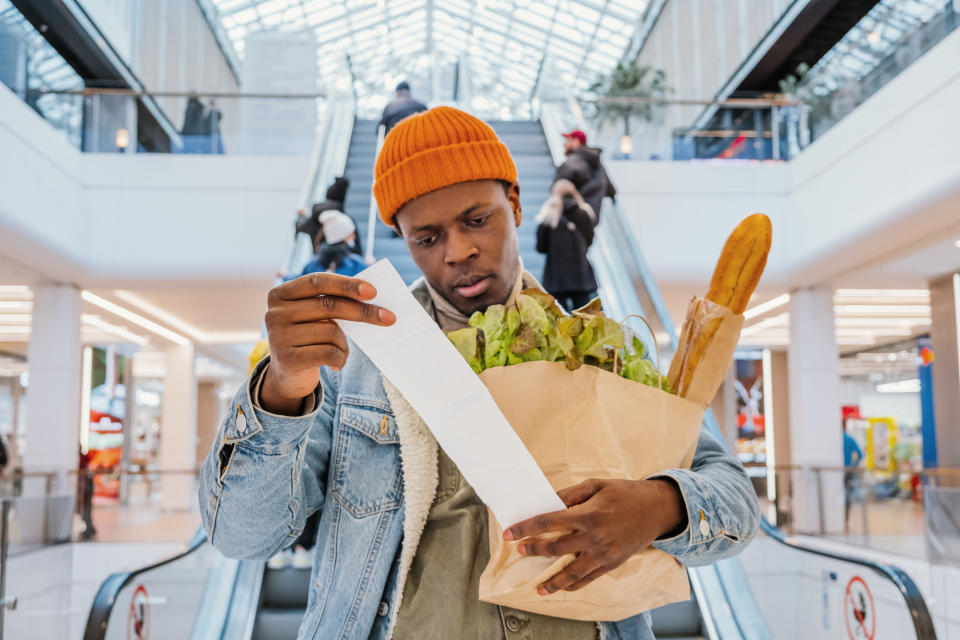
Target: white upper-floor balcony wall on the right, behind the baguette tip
[884,182]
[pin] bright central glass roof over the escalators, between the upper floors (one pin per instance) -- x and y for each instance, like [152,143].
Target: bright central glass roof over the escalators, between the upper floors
[502,46]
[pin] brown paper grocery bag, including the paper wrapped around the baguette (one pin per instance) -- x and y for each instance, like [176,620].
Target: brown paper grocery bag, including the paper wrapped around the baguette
[591,423]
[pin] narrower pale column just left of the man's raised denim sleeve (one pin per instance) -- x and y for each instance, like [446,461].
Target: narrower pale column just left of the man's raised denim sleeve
[178,428]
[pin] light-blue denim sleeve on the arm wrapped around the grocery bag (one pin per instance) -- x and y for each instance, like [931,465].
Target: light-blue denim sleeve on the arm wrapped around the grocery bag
[722,509]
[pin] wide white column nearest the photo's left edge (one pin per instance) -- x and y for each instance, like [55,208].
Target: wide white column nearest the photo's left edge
[53,394]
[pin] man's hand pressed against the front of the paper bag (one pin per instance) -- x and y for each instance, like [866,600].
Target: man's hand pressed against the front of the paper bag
[607,522]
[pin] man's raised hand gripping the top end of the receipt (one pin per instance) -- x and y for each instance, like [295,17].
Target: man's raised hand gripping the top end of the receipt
[303,335]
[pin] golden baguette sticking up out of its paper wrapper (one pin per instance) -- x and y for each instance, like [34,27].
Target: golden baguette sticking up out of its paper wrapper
[738,271]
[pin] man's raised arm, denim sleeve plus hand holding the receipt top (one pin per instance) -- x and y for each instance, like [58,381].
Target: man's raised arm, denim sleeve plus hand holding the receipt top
[257,484]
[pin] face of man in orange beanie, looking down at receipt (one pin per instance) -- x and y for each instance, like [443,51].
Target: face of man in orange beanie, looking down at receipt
[464,239]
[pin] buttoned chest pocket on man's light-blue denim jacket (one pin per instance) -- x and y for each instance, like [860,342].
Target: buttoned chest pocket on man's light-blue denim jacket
[367,474]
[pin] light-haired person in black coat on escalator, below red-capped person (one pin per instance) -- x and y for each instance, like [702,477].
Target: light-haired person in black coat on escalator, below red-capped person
[564,233]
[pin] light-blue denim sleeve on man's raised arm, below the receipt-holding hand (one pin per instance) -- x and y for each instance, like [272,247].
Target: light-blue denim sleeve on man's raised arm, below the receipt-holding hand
[265,473]
